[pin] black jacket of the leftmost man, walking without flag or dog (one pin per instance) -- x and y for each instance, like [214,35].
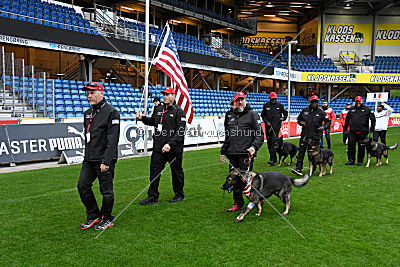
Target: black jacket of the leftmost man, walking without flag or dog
[104,133]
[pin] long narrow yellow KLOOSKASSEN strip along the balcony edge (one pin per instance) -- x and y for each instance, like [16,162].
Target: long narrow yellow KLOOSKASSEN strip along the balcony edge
[355,78]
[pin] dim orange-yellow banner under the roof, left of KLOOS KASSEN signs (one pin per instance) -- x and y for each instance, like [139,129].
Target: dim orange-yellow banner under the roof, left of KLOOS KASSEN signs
[263,39]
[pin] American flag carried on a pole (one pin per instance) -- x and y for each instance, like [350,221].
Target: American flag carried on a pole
[168,61]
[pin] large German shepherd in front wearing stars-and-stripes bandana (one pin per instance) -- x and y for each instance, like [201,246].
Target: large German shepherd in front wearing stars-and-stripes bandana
[258,186]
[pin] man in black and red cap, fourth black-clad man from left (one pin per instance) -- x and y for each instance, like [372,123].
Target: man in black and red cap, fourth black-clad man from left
[273,114]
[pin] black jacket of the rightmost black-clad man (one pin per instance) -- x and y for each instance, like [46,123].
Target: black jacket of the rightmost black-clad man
[358,119]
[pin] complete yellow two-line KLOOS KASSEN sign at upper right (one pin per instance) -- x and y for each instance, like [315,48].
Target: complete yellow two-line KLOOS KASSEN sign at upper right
[348,33]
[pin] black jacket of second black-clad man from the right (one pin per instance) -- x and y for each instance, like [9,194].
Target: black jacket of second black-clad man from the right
[313,119]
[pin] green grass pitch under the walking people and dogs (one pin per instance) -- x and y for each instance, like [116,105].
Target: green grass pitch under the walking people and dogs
[349,218]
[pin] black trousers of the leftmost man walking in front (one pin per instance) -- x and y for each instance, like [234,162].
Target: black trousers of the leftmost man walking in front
[89,172]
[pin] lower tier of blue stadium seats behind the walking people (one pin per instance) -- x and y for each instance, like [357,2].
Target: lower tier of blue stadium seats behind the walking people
[69,101]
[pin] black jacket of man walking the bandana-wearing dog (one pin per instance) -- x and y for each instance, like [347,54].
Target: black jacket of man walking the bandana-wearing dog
[244,131]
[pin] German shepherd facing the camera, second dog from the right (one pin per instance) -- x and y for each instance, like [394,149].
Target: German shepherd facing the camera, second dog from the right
[318,156]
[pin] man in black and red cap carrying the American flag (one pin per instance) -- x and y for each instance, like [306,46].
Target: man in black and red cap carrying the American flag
[169,123]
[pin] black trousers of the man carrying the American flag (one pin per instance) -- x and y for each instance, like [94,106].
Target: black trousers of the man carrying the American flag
[157,164]
